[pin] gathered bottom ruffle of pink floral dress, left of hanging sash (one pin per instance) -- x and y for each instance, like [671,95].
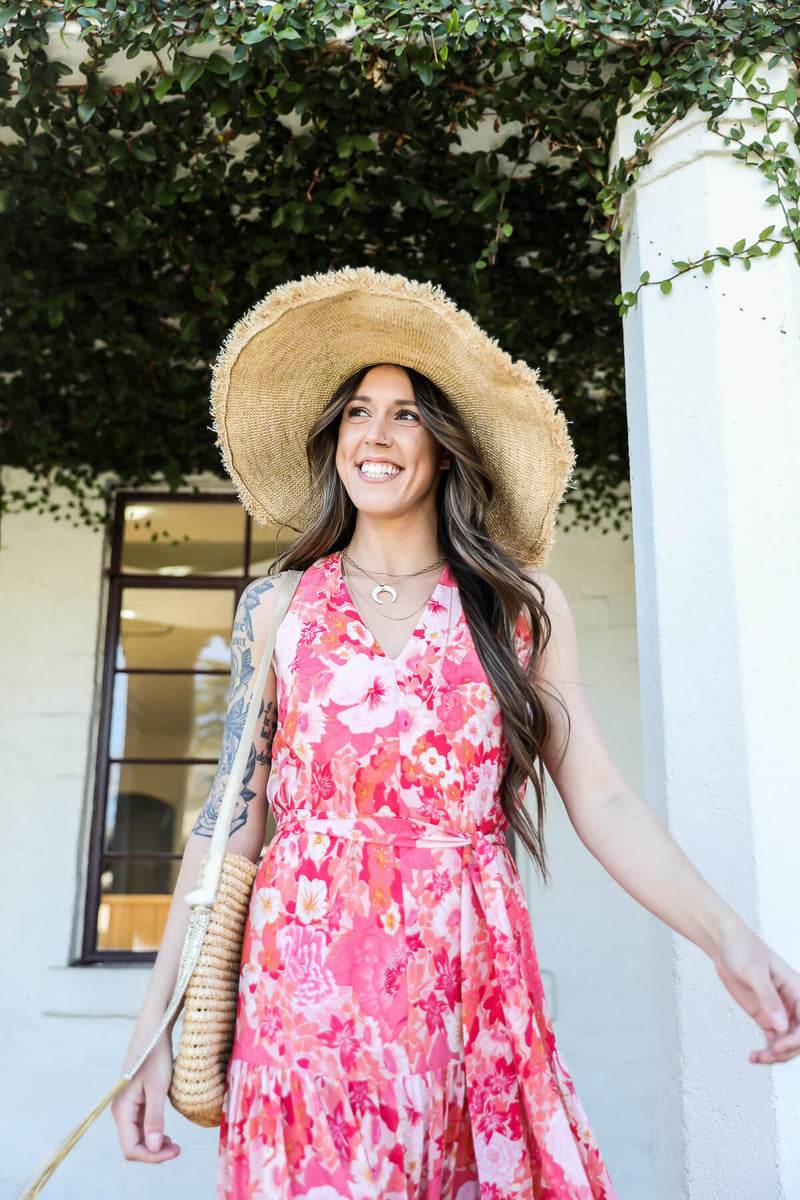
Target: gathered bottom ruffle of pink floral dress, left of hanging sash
[297,1135]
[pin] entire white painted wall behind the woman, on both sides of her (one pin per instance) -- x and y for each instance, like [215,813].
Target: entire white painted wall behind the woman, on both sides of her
[73,1024]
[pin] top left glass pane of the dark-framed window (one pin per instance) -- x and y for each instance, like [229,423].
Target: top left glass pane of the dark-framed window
[190,538]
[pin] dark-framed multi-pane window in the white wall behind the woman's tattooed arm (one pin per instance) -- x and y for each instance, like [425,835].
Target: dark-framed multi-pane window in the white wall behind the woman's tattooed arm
[178,567]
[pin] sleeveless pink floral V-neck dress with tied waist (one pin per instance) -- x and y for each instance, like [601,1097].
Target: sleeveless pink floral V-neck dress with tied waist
[393,1039]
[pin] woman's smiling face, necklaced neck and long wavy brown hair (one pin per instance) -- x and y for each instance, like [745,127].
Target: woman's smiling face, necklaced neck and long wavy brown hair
[435,508]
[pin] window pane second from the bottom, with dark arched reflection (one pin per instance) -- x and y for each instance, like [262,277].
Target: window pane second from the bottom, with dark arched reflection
[152,808]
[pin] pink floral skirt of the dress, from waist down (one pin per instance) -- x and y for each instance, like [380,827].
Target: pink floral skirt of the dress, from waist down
[393,1039]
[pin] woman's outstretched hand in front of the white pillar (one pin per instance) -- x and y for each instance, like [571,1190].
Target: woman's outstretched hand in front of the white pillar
[768,991]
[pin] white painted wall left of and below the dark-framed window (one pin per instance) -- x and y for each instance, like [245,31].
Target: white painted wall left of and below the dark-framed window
[71,1025]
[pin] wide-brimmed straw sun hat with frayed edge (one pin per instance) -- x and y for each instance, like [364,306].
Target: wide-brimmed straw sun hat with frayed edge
[285,361]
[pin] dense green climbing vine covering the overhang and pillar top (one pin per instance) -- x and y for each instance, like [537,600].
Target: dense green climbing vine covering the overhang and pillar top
[165,165]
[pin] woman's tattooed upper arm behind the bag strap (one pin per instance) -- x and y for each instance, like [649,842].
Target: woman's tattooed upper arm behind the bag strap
[248,639]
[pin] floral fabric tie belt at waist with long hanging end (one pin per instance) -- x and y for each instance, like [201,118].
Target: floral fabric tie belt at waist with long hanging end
[503,985]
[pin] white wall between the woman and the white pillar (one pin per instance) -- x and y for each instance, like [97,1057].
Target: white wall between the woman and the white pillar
[598,947]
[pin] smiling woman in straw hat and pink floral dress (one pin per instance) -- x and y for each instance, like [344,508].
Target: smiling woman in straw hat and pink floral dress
[393,1036]
